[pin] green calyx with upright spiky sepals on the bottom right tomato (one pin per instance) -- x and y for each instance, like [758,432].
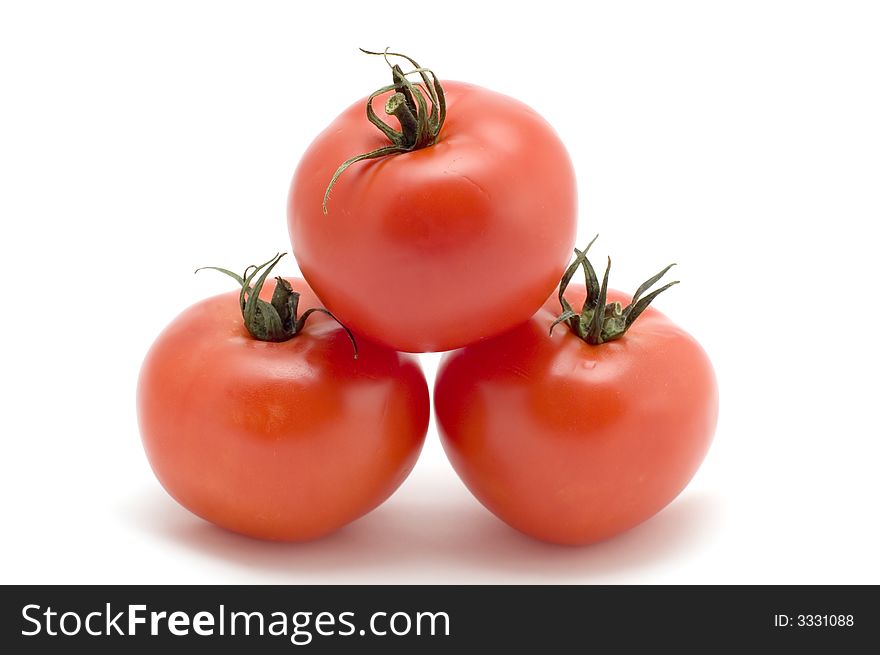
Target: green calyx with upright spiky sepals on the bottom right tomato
[598,322]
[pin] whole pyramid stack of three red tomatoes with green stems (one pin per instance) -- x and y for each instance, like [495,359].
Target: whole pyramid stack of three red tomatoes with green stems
[290,408]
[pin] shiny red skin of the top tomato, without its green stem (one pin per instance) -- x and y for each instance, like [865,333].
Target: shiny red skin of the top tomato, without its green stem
[437,248]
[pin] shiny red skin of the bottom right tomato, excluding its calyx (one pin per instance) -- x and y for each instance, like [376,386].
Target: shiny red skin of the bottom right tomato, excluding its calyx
[573,443]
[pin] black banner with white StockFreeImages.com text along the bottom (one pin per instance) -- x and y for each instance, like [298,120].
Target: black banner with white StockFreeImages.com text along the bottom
[418,619]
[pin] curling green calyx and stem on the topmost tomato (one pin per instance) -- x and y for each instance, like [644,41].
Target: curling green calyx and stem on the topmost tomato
[419,126]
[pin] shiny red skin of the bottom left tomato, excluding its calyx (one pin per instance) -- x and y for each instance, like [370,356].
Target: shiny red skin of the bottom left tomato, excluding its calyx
[283,441]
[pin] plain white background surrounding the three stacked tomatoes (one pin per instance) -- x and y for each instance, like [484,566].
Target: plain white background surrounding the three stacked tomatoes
[740,139]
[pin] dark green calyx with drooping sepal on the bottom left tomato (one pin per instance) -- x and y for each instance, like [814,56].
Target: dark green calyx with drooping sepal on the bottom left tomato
[276,320]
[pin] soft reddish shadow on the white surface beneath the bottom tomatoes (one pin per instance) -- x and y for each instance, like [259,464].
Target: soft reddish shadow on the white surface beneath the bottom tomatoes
[435,533]
